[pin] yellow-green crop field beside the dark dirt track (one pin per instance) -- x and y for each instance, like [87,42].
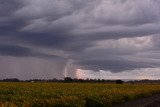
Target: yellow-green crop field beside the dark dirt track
[71,94]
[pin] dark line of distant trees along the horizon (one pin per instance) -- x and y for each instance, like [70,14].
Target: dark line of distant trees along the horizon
[69,80]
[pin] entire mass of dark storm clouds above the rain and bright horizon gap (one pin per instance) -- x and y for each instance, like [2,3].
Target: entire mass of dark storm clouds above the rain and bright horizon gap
[75,28]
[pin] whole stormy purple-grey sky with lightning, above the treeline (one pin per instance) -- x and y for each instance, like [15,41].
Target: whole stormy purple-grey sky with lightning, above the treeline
[106,39]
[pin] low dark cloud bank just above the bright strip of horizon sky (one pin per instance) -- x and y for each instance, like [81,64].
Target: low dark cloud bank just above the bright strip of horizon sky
[114,65]
